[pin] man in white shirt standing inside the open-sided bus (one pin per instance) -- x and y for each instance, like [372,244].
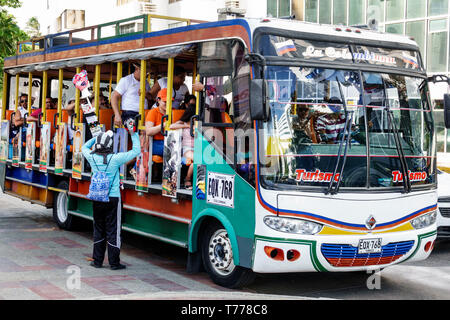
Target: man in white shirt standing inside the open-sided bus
[128,89]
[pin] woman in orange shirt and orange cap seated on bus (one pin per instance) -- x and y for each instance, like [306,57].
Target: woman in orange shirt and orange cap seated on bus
[153,123]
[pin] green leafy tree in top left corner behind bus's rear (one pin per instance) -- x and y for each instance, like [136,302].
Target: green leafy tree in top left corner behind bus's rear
[10,33]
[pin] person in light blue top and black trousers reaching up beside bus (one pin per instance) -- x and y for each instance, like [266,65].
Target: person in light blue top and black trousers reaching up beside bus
[107,215]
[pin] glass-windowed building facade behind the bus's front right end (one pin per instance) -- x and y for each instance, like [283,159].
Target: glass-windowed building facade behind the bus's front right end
[427,21]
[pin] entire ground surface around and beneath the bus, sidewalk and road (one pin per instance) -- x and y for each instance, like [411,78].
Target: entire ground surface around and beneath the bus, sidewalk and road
[40,261]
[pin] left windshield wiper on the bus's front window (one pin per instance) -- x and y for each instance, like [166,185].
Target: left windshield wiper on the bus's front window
[347,130]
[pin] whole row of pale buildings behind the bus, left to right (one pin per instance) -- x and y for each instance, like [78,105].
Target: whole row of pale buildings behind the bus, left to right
[427,21]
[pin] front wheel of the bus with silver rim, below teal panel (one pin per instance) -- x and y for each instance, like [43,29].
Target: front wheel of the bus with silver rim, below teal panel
[217,257]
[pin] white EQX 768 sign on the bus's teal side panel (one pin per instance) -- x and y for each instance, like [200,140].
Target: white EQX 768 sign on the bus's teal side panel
[220,189]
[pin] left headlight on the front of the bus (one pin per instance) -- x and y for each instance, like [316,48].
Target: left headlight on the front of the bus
[291,225]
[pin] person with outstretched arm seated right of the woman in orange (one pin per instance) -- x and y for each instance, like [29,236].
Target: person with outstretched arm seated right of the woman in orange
[188,140]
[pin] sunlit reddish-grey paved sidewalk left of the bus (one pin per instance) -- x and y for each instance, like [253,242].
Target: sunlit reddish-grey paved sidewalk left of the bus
[40,261]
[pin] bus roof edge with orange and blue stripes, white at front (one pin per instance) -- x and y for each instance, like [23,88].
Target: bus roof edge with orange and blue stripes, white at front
[50,51]
